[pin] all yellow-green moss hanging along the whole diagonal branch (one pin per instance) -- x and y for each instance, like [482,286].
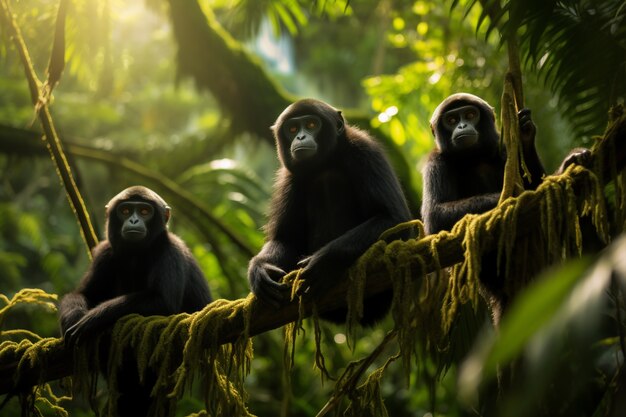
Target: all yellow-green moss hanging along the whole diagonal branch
[425,309]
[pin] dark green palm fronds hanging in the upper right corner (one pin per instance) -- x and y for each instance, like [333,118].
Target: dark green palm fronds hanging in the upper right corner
[577,46]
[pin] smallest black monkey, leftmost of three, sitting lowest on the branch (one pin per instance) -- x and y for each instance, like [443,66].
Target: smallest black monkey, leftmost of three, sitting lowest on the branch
[140,268]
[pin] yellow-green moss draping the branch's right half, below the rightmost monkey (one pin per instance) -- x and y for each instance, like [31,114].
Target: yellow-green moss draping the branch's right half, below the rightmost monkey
[549,238]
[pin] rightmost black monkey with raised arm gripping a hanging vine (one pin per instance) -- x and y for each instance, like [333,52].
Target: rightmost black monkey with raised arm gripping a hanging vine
[465,173]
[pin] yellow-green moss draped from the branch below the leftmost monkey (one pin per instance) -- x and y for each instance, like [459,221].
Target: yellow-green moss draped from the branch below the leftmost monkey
[180,349]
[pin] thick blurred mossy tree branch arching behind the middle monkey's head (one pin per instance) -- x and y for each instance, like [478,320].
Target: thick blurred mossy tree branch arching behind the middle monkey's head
[248,96]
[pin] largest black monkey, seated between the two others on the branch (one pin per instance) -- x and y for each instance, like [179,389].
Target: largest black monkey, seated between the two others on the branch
[333,197]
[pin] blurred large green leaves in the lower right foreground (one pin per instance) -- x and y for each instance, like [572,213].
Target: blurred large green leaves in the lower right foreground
[559,320]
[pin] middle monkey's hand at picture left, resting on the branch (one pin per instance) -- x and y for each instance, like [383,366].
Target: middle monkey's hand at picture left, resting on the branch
[264,279]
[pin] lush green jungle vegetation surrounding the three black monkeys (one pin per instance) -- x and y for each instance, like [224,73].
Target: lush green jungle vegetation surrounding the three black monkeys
[179,96]
